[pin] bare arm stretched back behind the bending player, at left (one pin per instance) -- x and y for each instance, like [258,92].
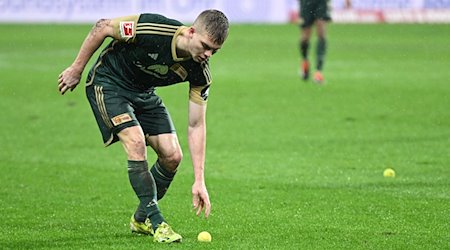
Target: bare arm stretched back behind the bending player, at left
[71,76]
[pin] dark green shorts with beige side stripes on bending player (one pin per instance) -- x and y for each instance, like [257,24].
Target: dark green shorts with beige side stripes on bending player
[116,109]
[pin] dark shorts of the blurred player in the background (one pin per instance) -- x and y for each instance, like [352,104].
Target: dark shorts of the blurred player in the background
[312,10]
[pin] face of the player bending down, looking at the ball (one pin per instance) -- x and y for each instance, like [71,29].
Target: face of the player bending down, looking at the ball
[202,48]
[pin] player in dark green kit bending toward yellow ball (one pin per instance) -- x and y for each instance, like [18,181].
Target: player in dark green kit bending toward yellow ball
[149,51]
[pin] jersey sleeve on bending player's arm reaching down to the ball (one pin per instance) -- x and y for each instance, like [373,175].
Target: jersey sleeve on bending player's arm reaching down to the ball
[199,86]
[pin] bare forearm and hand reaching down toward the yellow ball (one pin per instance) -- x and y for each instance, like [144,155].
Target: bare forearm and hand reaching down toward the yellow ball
[197,148]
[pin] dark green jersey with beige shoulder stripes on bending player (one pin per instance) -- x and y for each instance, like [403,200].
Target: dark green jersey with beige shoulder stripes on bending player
[145,57]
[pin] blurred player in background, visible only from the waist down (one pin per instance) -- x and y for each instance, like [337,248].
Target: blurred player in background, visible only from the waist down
[314,12]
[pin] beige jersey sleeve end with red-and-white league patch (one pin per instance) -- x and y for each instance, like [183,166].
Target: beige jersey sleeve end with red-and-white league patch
[125,27]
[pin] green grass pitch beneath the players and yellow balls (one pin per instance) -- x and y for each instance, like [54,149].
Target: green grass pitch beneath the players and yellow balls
[290,164]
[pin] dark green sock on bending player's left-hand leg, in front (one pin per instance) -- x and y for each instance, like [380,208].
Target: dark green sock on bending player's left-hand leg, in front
[144,186]
